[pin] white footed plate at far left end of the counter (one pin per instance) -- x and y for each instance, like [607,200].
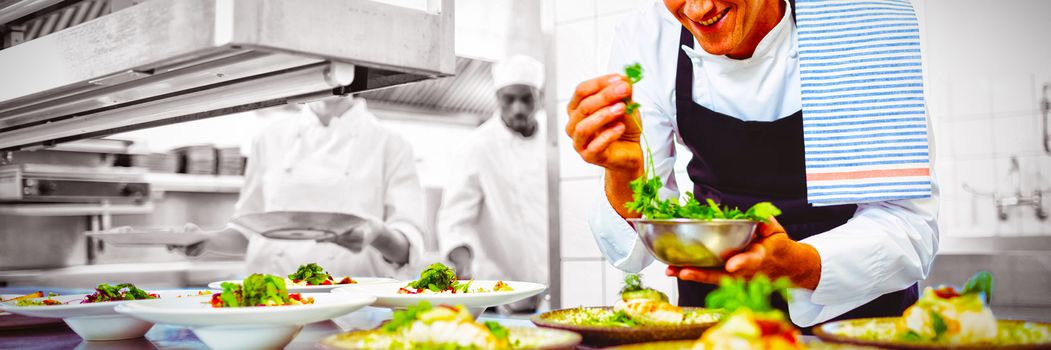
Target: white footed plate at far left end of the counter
[92,322]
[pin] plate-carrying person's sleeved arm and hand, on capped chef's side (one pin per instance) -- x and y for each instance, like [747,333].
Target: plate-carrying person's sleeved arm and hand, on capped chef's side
[401,242]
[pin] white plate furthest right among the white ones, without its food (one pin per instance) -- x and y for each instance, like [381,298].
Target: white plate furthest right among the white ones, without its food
[387,296]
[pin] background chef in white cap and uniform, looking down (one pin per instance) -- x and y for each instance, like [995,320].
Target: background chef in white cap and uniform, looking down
[492,224]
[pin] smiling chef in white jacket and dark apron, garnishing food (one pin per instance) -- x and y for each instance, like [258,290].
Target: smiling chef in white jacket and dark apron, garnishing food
[724,79]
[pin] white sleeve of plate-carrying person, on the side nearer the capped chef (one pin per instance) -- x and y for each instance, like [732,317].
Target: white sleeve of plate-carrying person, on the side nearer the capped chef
[404,197]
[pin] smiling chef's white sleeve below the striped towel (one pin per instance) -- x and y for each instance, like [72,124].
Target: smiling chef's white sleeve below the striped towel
[887,246]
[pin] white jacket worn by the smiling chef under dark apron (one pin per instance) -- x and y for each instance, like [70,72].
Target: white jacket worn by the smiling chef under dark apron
[888,246]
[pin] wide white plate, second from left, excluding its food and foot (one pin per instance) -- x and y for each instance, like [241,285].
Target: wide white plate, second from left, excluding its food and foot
[197,312]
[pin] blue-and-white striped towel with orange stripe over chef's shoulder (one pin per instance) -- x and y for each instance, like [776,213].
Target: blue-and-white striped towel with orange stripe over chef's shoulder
[864,121]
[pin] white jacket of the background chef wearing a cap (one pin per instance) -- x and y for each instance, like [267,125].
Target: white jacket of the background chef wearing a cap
[497,204]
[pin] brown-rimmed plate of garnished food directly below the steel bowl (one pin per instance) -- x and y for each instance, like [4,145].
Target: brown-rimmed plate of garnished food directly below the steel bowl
[642,315]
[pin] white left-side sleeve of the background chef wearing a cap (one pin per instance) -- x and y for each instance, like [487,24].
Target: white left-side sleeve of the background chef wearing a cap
[462,200]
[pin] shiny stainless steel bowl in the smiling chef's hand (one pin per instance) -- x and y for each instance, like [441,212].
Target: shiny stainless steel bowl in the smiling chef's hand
[687,242]
